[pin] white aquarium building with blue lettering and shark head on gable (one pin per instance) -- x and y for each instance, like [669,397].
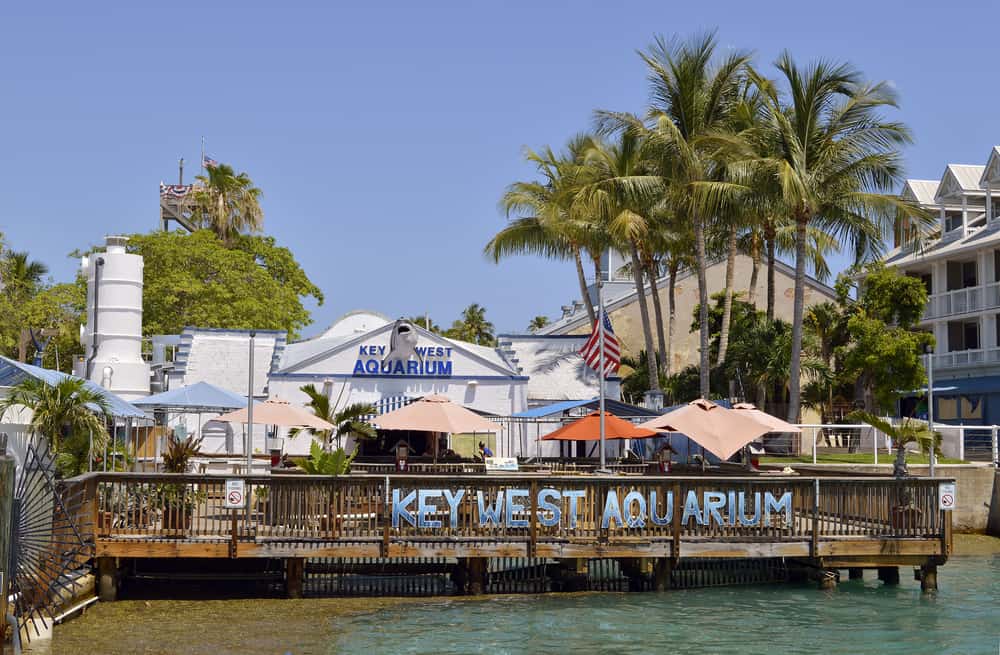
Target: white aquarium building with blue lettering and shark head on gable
[366,357]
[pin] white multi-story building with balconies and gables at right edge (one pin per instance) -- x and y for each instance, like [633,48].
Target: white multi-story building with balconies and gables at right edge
[960,266]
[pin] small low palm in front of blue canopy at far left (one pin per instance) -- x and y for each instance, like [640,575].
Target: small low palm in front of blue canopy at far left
[70,415]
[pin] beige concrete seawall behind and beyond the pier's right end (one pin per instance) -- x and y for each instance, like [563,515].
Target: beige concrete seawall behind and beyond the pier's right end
[977,488]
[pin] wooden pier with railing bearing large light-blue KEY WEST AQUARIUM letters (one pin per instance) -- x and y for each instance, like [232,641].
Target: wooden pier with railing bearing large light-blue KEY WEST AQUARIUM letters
[819,523]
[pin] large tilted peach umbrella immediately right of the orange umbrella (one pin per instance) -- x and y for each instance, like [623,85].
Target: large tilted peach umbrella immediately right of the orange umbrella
[718,430]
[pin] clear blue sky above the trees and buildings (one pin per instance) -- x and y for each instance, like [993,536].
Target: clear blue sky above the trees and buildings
[383,134]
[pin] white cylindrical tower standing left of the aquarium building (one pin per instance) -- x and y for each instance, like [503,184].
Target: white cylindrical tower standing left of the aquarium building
[112,338]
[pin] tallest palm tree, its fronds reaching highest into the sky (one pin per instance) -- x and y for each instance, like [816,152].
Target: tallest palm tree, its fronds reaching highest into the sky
[694,98]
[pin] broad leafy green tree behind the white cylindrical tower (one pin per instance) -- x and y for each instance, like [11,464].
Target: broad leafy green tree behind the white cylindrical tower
[195,280]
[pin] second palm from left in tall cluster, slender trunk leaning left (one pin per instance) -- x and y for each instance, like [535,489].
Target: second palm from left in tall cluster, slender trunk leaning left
[623,192]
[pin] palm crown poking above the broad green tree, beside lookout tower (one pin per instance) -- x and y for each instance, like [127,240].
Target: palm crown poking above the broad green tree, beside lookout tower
[226,202]
